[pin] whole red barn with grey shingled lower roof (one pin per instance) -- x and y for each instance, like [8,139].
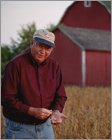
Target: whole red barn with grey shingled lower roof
[83,46]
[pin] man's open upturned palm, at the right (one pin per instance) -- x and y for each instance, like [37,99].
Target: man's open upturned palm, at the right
[56,117]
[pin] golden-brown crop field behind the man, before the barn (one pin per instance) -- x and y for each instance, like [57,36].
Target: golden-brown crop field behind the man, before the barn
[89,114]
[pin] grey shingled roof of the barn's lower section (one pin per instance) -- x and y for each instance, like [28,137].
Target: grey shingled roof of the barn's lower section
[88,39]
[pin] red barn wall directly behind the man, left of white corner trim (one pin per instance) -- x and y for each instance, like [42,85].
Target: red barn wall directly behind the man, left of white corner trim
[68,56]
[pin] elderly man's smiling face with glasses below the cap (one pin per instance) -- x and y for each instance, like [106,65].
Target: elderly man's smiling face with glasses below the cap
[40,51]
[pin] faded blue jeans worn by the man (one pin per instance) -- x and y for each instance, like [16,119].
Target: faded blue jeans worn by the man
[16,130]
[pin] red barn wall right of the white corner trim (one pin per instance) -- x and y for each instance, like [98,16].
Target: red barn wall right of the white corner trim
[98,68]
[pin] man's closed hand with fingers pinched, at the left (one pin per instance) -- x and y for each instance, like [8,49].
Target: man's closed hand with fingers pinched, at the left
[40,113]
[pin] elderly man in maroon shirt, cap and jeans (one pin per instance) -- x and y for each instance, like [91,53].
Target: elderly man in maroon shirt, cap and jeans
[33,94]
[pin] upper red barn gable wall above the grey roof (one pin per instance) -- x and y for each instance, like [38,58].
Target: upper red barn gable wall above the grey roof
[94,17]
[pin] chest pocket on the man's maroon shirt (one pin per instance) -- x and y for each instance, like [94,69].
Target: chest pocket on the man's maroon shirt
[51,86]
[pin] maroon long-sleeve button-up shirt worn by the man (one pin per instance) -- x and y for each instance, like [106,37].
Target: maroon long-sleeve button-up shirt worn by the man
[26,84]
